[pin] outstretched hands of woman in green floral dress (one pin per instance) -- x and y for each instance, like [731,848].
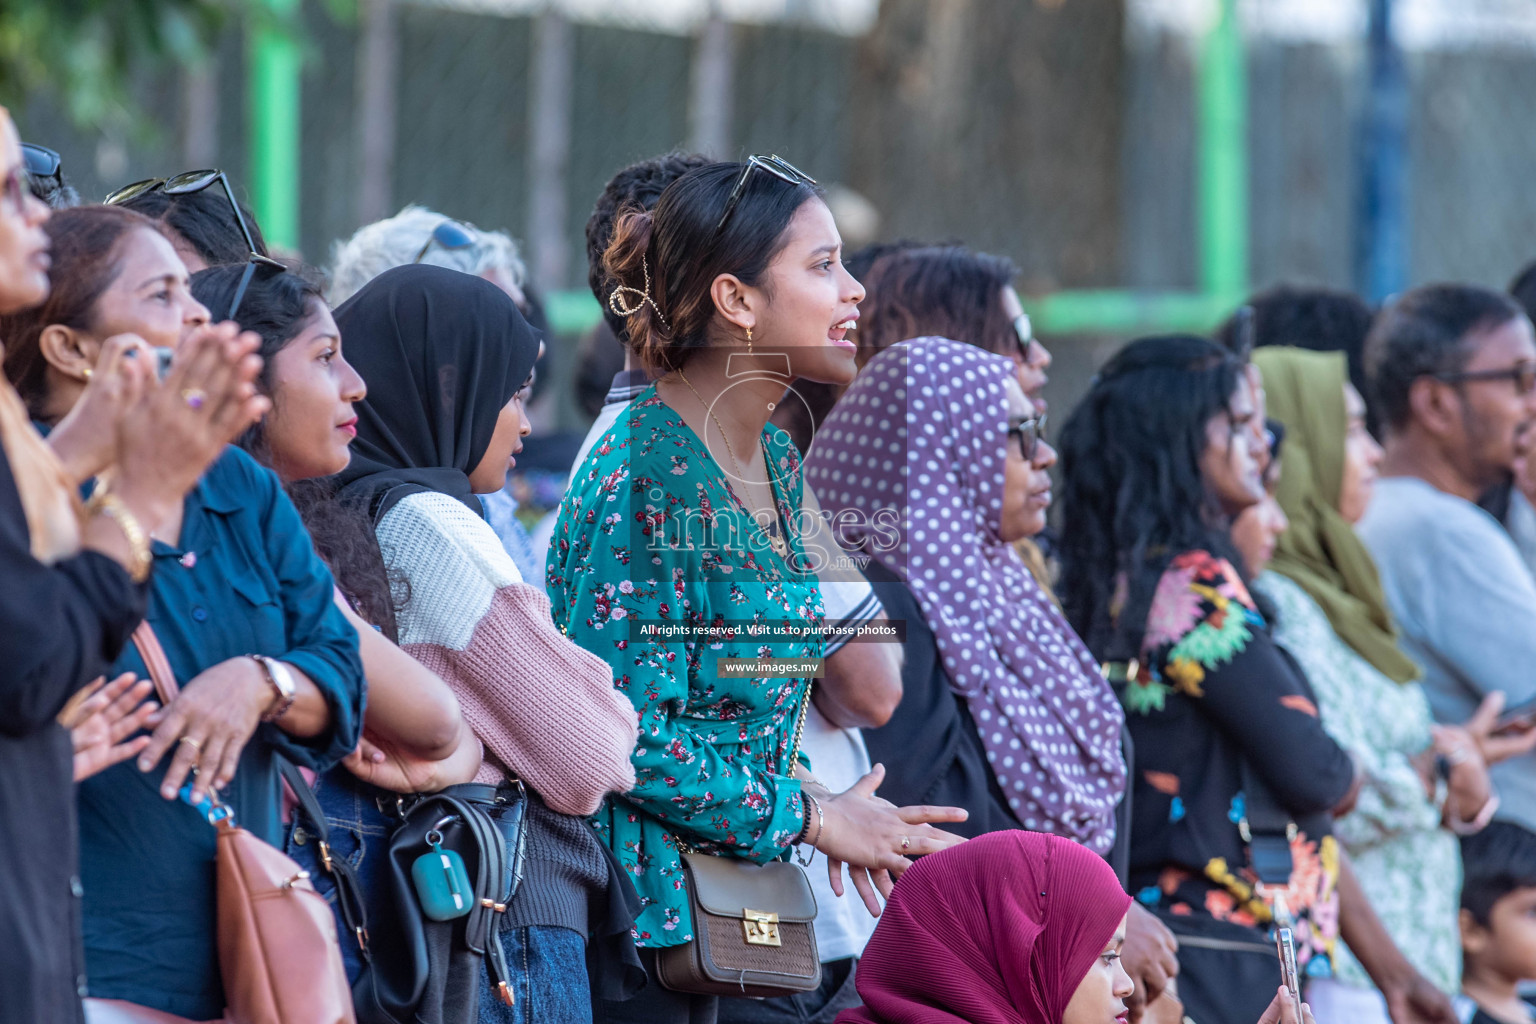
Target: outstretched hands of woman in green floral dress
[875,837]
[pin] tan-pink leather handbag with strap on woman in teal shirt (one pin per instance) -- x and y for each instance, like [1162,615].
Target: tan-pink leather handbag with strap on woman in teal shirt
[277,937]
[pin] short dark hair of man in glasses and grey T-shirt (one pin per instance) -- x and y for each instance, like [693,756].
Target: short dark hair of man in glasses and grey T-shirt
[1425,332]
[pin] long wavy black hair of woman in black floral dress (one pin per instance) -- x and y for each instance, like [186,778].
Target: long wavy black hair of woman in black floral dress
[1134,497]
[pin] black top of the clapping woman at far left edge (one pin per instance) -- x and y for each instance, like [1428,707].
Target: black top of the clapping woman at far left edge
[61,627]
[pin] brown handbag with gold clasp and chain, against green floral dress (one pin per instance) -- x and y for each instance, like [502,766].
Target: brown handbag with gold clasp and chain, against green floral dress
[753,925]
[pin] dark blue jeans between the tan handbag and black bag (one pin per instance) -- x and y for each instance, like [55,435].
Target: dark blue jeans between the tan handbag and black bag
[359,834]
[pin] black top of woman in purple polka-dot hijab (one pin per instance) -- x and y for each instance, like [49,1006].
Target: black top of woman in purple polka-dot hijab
[930,748]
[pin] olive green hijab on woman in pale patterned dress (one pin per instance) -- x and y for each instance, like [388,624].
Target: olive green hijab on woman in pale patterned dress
[1322,552]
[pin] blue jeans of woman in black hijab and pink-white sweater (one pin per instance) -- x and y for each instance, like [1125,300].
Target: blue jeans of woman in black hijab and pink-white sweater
[549,969]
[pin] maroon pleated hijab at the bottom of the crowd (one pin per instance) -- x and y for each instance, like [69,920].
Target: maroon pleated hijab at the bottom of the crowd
[996,931]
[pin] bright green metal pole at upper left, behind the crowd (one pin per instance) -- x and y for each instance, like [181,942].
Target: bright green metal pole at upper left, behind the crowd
[274,96]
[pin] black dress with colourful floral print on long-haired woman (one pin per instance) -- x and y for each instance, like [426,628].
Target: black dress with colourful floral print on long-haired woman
[1211,690]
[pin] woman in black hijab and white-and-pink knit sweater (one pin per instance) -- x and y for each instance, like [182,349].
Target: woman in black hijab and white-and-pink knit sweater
[449,363]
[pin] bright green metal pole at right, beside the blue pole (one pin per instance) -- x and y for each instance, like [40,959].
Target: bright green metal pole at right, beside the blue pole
[1223,173]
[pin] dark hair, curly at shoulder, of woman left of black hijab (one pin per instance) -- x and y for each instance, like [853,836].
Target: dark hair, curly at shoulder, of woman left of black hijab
[279,306]
